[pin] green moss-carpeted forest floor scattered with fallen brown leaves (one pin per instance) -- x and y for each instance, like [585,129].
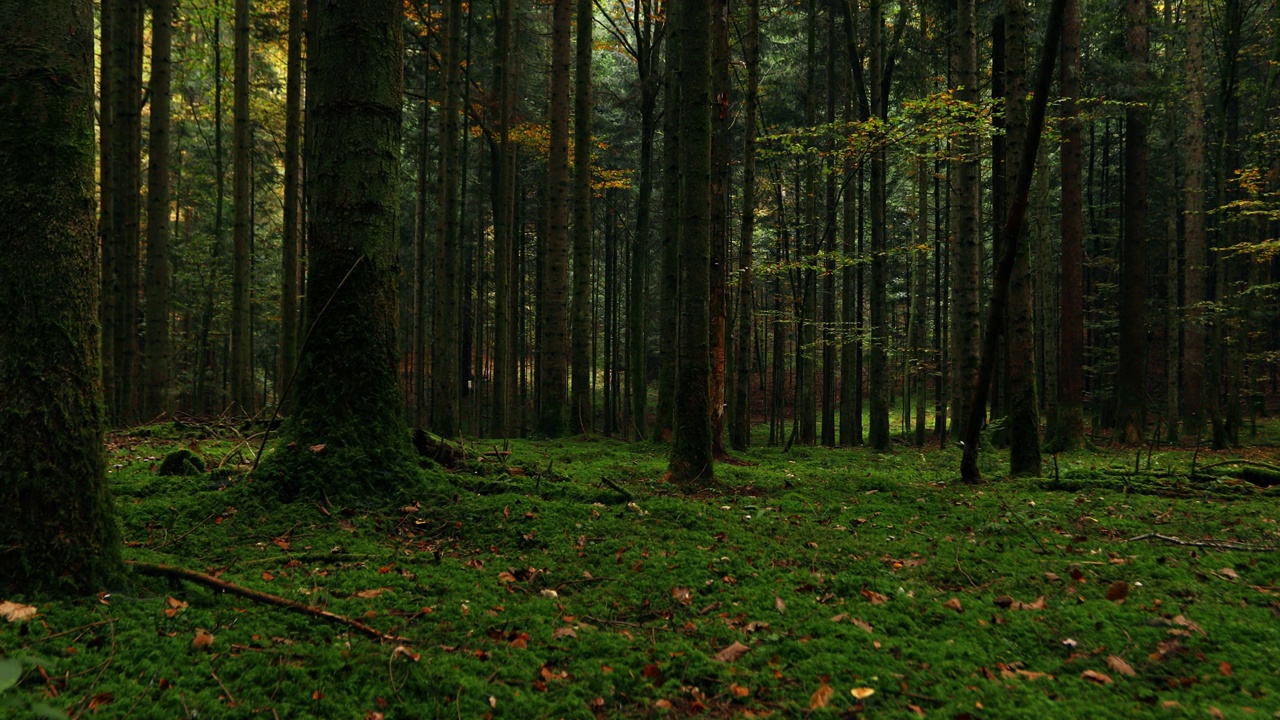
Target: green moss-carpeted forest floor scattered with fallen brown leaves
[568,581]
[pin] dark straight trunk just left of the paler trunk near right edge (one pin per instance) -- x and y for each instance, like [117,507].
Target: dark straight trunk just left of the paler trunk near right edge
[1131,375]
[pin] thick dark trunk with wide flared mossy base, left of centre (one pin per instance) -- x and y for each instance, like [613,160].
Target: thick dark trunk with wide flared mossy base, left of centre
[349,414]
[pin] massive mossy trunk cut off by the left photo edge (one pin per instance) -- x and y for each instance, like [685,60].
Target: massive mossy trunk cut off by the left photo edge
[58,530]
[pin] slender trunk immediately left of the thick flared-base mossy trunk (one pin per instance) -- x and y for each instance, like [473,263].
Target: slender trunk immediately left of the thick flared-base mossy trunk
[291,244]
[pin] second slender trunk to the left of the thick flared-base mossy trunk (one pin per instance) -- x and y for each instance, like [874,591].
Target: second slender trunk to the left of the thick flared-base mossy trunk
[243,379]
